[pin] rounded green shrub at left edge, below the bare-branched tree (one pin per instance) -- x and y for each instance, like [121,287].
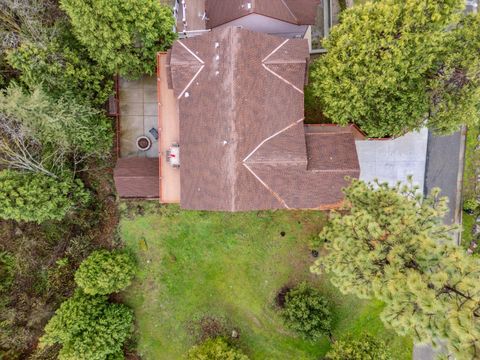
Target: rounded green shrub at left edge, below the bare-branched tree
[26,196]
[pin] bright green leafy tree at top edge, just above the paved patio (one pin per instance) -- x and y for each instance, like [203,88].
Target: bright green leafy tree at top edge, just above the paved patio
[123,36]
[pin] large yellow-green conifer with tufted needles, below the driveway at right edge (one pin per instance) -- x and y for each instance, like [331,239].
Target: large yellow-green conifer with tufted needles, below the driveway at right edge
[392,245]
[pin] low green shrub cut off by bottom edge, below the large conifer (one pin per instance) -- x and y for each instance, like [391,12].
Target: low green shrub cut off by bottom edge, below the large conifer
[364,348]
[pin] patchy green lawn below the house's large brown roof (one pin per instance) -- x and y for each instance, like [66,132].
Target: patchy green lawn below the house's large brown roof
[231,266]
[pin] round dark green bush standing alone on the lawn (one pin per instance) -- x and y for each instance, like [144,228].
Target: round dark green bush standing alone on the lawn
[307,312]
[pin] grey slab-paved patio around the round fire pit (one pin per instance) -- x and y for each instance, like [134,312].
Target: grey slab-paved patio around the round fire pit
[138,114]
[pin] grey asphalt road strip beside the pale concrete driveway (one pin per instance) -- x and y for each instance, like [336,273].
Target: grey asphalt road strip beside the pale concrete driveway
[444,165]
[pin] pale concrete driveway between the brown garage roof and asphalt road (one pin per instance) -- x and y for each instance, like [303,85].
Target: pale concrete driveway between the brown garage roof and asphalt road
[394,160]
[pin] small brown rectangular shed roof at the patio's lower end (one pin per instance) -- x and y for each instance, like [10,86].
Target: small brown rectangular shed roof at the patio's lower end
[137,178]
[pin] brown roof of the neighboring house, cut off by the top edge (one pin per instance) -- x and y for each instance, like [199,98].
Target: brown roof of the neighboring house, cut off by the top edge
[299,12]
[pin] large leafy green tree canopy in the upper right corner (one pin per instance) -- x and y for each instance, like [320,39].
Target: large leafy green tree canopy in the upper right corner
[395,66]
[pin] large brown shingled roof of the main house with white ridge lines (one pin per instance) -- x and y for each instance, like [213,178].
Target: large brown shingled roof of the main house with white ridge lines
[242,138]
